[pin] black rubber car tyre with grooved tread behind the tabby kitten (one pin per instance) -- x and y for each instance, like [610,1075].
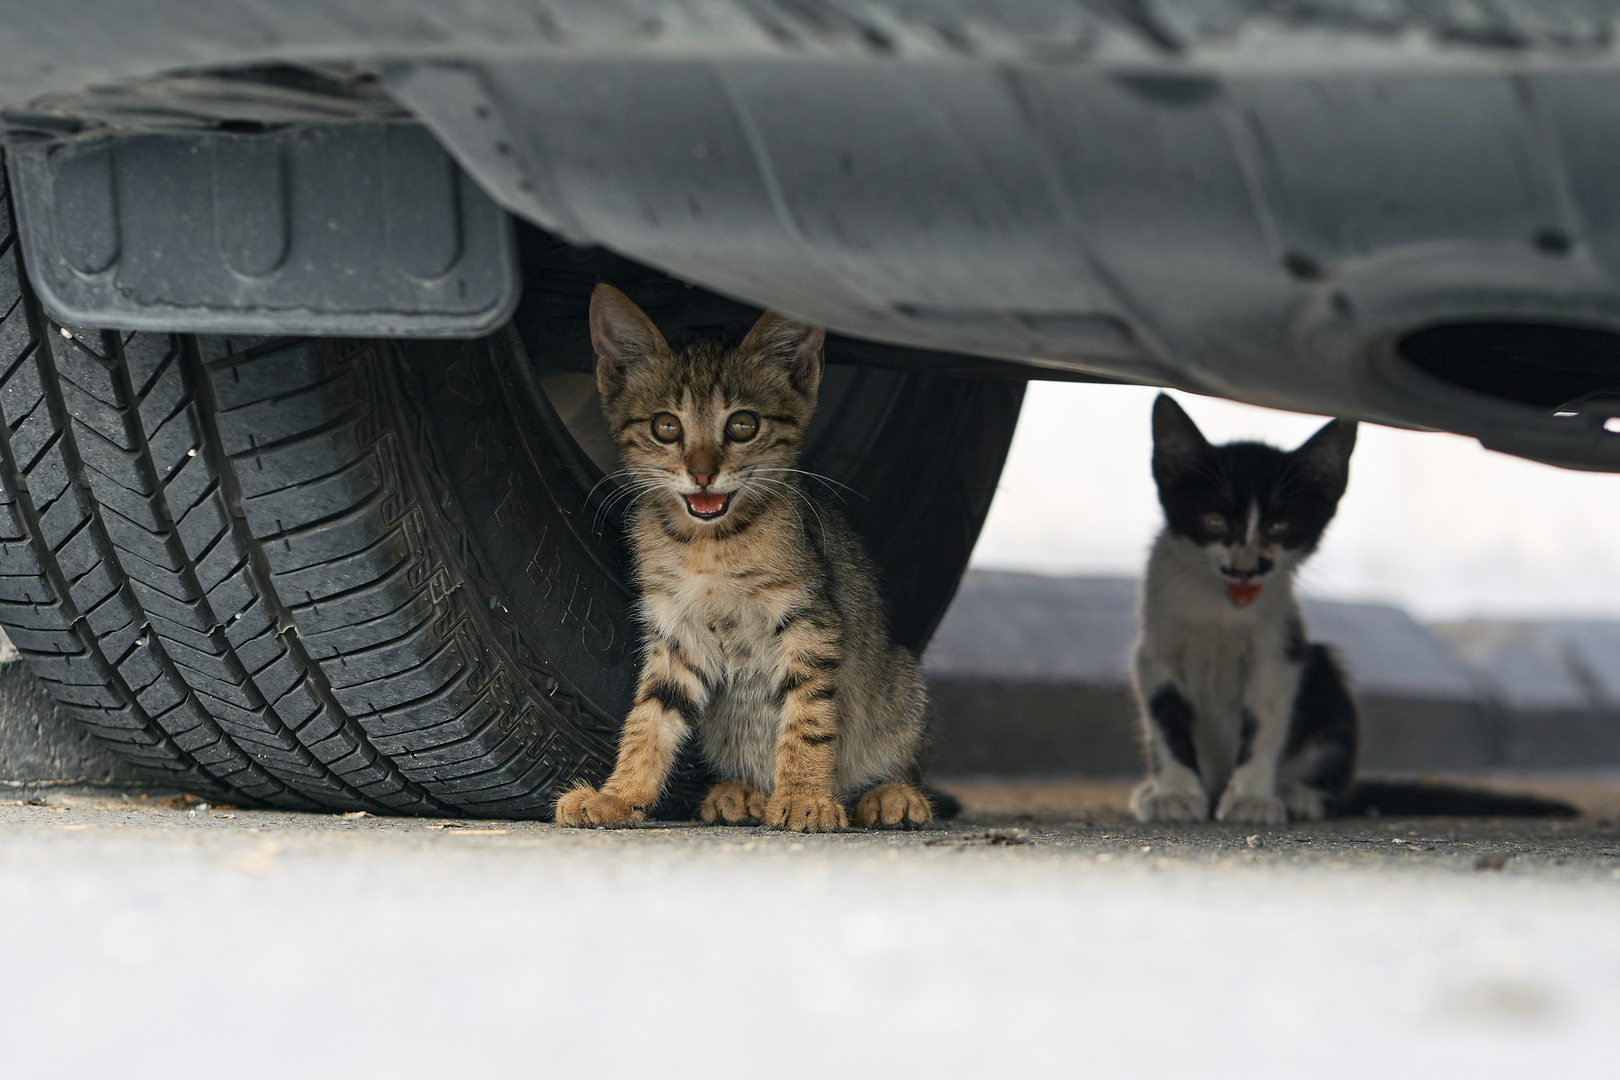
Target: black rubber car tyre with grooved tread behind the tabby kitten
[385,576]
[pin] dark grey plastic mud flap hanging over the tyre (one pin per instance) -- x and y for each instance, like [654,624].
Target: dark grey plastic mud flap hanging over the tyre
[357,229]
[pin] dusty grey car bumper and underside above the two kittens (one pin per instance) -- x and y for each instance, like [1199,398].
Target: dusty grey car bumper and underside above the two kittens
[1255,202]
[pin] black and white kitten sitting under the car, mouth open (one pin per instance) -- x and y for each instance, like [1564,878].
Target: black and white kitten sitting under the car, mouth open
[1237,705]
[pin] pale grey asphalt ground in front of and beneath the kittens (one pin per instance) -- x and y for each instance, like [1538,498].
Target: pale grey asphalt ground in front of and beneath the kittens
[1044,932]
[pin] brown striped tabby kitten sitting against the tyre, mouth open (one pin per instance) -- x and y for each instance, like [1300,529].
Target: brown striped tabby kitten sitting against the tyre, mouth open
[764,631]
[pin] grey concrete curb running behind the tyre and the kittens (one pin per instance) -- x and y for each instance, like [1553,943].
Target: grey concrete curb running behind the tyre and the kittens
[1030,679]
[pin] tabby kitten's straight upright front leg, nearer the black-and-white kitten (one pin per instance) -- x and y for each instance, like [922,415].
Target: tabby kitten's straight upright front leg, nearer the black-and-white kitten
[806,749]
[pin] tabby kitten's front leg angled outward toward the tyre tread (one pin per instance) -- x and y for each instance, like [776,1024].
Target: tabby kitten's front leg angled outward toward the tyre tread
[668,702]
